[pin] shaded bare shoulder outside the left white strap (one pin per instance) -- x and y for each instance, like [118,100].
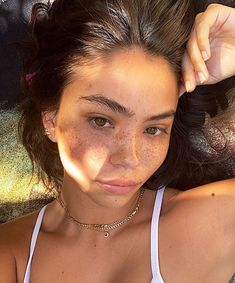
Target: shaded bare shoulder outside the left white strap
[14,241]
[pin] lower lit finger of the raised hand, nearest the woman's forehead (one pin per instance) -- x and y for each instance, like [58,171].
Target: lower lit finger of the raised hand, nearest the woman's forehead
[188,73]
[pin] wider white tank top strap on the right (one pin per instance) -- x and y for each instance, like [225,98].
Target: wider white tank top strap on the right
[157,278]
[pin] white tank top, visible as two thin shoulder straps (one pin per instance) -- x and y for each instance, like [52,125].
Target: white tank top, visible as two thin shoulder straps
[157,278]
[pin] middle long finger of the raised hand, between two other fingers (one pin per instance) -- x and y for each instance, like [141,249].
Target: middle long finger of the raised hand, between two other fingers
[197,59]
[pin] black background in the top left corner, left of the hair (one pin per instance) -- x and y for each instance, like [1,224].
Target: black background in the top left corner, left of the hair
[14,28]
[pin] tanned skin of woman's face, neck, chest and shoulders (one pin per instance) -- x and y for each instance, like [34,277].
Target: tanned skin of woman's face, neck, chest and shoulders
[197,227]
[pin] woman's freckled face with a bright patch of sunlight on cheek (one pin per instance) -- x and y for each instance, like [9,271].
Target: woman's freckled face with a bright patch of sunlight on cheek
[114,124]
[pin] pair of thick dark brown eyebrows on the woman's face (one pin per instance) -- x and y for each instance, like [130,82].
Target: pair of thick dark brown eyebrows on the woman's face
[116,107]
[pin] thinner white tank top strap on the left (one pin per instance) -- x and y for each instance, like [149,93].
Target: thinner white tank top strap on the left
[33,243]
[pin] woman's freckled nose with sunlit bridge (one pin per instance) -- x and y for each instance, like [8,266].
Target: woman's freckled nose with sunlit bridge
[126,151]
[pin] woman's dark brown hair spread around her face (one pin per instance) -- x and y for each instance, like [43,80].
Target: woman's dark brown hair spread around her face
[75,32]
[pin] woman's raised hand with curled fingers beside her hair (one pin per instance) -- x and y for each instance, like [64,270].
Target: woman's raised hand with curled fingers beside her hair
[210,54]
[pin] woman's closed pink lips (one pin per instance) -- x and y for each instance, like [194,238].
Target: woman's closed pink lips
[118,187]
